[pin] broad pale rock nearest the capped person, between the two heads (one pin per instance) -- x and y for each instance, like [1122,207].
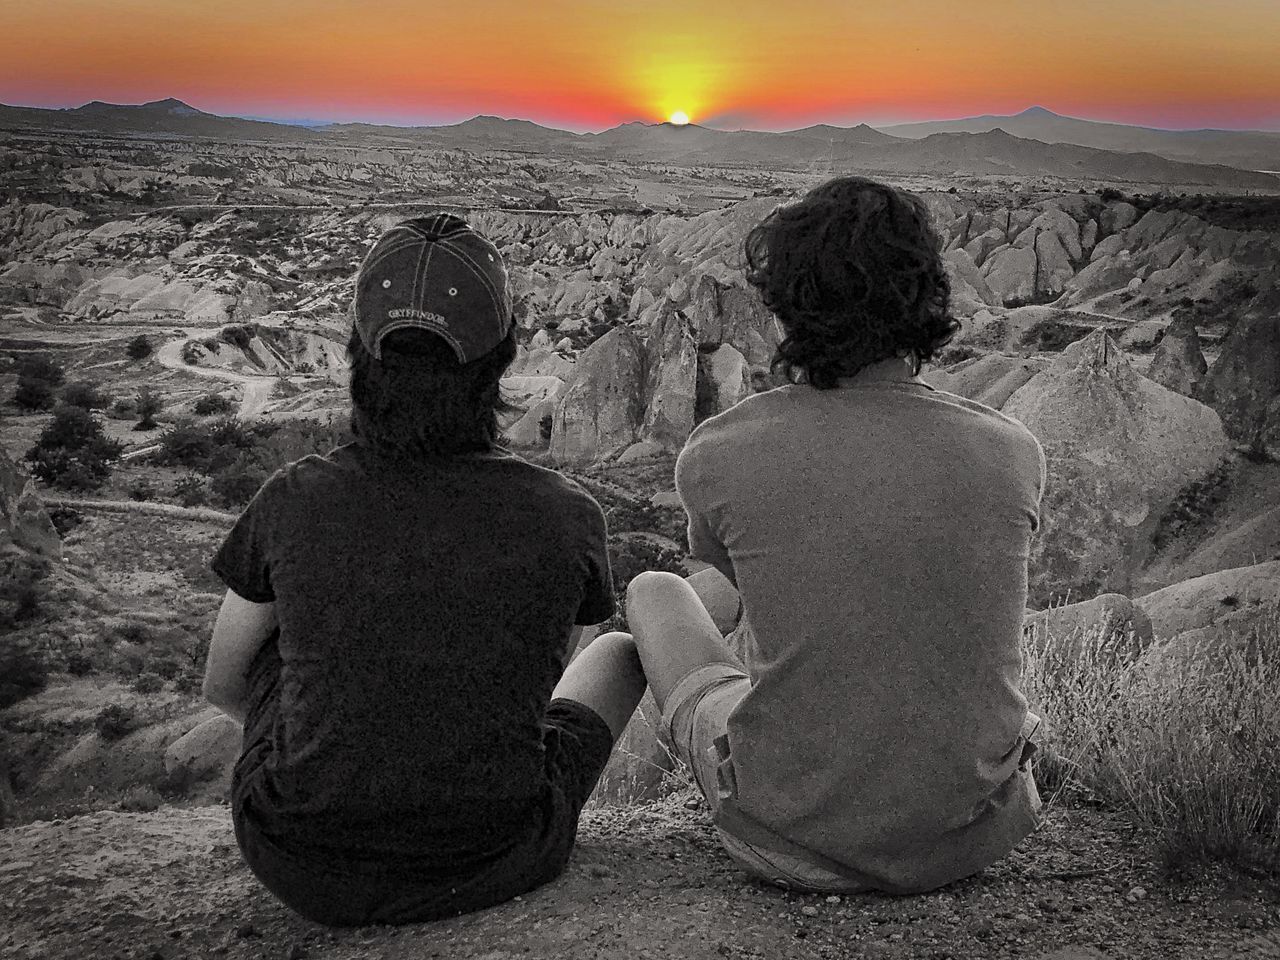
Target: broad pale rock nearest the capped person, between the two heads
[602,406]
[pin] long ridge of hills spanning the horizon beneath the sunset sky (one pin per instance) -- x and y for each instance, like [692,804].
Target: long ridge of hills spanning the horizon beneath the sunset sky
[986,153]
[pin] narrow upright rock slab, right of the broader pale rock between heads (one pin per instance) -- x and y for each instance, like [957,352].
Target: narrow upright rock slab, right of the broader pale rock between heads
[671,386]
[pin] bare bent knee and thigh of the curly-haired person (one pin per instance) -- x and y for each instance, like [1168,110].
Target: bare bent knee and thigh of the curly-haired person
[673,630]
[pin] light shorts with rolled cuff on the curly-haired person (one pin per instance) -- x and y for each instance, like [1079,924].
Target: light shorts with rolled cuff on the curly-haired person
[696,724]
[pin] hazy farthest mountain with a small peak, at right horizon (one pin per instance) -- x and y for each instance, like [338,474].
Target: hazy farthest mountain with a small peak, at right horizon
[1249,150]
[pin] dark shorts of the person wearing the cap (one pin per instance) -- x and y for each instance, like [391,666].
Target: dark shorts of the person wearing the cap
[578,744]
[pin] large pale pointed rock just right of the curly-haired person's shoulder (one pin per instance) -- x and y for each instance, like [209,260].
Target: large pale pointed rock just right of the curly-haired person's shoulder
[1119,450]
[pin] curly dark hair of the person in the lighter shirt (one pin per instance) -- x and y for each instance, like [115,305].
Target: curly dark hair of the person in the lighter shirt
[854,273]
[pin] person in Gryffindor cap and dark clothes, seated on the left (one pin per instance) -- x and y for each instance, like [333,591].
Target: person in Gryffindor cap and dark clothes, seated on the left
[399,620]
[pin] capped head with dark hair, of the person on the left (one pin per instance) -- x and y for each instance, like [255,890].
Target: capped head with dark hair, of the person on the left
[433,333]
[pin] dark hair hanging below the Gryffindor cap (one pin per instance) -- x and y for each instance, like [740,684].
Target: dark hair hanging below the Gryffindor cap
[419,401]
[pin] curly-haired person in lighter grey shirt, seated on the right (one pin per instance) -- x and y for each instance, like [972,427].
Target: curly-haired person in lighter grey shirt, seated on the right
[863,726]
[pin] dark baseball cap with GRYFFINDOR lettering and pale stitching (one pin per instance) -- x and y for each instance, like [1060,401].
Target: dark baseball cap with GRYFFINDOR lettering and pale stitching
[437,275]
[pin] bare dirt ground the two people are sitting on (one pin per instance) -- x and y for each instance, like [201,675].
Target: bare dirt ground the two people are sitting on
[647,881]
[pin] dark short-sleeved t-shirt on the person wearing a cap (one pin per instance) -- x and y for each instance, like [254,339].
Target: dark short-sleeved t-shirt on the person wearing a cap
[424,616]
